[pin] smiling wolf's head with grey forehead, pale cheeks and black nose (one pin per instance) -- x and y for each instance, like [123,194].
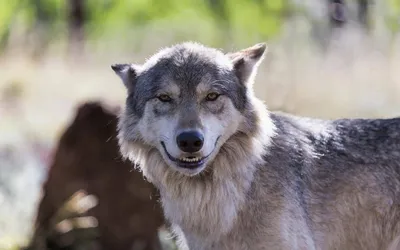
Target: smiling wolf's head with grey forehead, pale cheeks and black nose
[186,101]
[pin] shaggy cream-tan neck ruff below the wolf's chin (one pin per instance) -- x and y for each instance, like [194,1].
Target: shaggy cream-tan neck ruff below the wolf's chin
[209,205]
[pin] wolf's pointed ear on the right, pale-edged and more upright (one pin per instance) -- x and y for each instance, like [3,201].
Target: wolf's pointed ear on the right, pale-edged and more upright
[246,61]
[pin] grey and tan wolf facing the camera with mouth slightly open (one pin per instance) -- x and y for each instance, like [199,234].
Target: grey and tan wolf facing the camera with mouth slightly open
[234,175]
